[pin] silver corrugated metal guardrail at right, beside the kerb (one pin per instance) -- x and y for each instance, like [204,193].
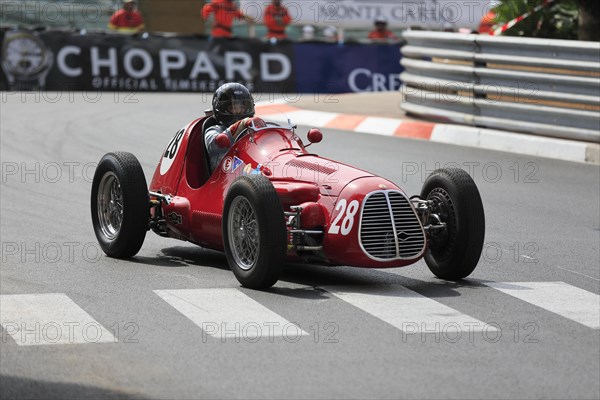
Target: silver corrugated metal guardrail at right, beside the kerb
[539,86]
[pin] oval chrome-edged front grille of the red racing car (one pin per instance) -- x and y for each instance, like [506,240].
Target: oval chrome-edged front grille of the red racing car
[389,227]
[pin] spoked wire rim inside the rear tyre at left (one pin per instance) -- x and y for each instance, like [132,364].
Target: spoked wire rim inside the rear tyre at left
[110,205]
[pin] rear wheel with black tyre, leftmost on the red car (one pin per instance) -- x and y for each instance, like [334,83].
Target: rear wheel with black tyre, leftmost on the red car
[124,239]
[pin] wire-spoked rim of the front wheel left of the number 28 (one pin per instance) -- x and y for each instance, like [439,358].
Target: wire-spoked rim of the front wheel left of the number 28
[243,233]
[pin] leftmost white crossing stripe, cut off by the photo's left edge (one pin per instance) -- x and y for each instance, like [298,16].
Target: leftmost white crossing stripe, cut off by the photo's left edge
[53,318]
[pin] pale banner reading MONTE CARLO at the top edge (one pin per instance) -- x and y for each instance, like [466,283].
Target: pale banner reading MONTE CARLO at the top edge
[428,14]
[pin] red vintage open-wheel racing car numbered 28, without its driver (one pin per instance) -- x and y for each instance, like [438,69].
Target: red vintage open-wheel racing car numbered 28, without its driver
[271,200]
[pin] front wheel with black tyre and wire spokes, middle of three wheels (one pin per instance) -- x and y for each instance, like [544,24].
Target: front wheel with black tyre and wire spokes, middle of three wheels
[255,246]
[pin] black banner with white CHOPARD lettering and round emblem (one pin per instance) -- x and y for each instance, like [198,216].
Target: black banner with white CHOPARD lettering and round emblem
[56,60]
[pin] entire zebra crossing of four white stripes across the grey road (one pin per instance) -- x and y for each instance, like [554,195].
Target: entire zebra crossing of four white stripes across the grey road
[42,319]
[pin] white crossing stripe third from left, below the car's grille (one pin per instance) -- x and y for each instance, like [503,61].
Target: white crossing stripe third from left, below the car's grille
[407,310]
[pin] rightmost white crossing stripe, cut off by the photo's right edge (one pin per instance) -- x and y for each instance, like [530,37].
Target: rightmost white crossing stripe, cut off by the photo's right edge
[558,297]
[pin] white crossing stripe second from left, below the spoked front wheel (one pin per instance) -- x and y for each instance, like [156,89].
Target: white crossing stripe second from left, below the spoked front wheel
[229,313]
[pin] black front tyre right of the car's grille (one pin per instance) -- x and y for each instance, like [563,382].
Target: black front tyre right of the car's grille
[454,253]
